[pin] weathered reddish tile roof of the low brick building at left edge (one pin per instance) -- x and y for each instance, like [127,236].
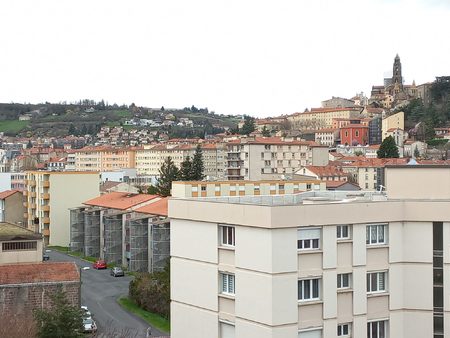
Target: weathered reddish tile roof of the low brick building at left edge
[39,273]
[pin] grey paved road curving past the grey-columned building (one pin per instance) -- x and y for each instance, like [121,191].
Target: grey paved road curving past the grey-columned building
[99,292]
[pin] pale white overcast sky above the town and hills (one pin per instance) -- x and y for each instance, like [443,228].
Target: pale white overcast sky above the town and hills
[236,56]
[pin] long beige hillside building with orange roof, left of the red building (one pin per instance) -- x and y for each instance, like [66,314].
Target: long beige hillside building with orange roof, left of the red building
[319,118]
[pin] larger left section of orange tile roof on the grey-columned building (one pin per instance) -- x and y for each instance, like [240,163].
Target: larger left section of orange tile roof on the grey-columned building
[120,200]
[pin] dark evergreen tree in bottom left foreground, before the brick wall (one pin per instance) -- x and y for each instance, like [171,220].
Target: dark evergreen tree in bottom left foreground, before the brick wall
[62,320]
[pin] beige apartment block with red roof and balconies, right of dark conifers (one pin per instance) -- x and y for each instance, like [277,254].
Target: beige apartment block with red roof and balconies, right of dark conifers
[271,158]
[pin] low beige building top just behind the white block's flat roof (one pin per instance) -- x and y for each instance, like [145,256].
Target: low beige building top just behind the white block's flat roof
[186,189]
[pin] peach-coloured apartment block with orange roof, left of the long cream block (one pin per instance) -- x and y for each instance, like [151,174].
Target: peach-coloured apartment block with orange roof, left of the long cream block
[104,158]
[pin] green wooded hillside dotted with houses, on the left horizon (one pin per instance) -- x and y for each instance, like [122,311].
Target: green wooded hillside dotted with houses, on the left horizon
[86,117]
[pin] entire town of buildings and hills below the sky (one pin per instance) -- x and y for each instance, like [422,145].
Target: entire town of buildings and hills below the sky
[331,194]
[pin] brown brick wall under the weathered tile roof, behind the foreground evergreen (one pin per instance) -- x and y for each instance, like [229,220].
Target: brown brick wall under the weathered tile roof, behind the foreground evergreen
[28,297]
